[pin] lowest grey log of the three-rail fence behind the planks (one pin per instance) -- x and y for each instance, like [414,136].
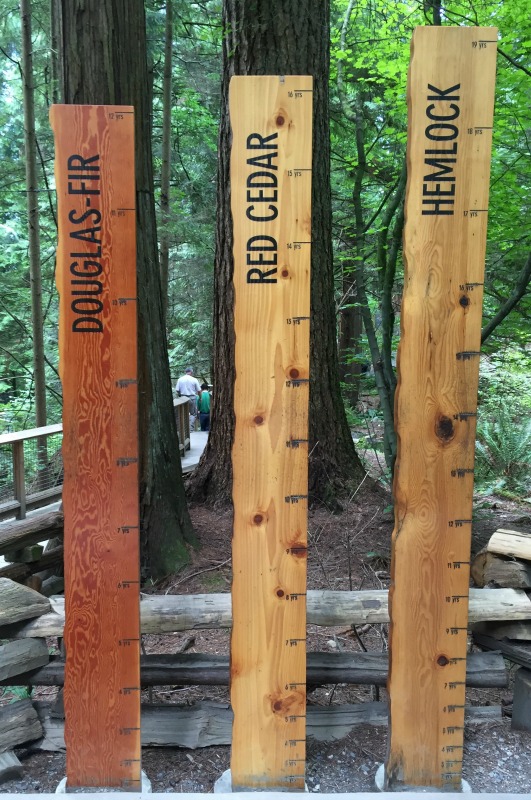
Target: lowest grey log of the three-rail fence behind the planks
[206,724]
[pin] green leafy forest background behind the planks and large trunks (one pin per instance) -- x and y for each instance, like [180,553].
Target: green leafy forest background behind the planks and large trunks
[369,55]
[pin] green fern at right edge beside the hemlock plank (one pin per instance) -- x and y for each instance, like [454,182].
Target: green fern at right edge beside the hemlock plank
[503,452]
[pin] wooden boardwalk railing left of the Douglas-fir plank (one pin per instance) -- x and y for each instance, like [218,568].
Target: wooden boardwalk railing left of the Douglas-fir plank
[26,480]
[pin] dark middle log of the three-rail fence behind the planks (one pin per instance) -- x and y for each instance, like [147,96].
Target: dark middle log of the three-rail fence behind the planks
[198,669]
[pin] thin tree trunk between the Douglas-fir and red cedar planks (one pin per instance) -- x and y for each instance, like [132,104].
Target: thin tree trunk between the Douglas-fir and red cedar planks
[166,156]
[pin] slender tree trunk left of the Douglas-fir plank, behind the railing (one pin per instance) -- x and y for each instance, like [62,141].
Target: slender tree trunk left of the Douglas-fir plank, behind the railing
[33,225]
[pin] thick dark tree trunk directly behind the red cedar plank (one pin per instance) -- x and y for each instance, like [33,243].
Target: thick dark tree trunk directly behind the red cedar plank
[270,37]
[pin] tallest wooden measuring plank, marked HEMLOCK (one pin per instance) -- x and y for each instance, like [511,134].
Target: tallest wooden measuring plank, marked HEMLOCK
[450,98]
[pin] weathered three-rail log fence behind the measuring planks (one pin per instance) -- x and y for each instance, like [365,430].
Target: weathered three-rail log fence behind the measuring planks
[27,618]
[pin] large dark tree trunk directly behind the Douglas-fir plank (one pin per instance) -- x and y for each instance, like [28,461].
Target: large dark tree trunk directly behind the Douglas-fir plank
[105,63]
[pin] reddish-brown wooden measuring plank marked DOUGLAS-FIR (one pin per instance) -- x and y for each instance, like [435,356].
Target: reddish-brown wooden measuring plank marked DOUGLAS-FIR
[96,279]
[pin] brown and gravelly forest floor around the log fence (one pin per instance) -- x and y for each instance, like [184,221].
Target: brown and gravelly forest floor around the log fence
[347,550]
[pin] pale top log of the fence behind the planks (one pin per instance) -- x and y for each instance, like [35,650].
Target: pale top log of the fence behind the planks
[173,613]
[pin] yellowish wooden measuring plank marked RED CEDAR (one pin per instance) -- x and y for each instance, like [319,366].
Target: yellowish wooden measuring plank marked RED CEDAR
[271,165]
